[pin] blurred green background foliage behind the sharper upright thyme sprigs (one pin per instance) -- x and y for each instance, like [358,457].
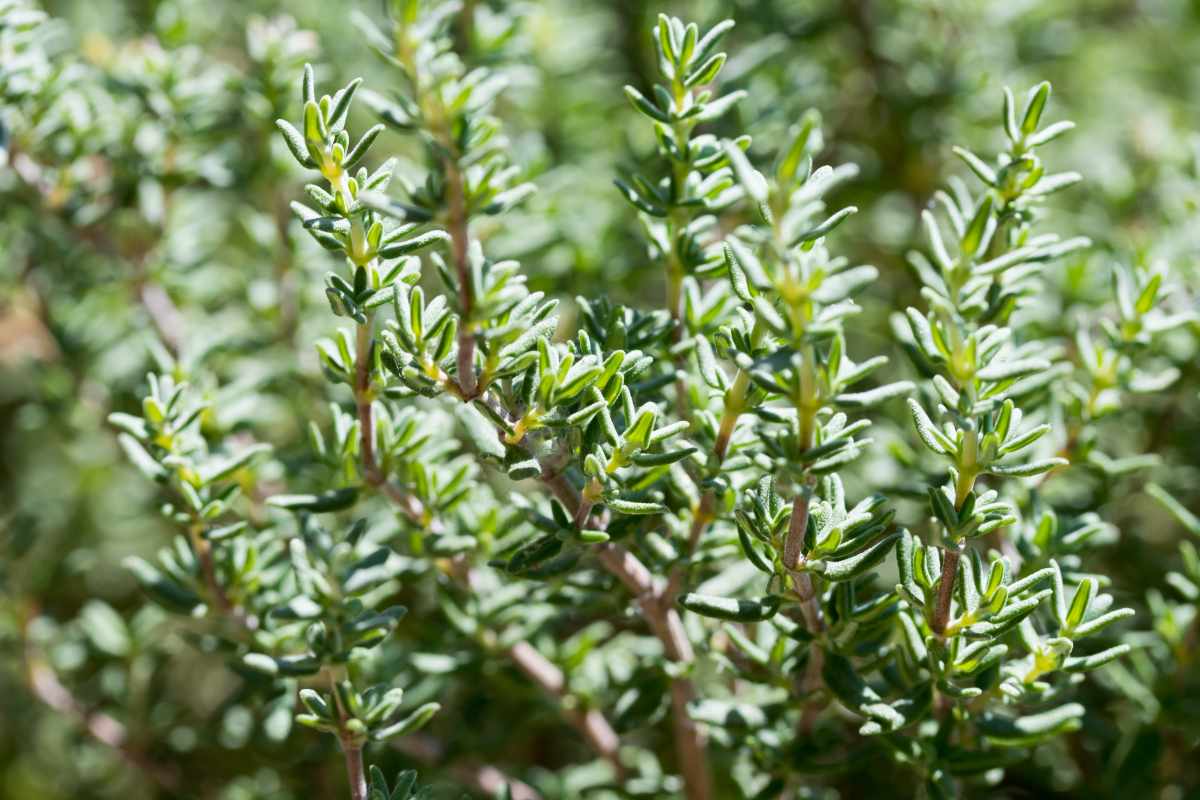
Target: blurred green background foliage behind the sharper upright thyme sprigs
[145,225]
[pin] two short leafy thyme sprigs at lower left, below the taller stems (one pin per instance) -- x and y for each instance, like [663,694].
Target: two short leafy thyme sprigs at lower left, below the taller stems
[293,607]
